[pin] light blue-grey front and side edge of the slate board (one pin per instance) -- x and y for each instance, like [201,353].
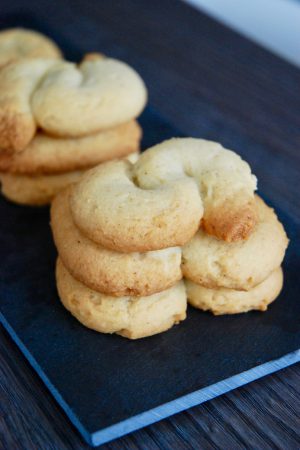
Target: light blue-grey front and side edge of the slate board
[162,411]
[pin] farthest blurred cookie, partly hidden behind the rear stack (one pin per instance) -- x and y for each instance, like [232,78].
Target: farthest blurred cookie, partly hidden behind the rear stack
[19,43]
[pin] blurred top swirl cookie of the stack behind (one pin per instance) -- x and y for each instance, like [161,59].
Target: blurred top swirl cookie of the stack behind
[66,100]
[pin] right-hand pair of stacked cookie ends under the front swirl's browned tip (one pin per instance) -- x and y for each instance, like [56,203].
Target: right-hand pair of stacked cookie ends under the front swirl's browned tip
[229,278]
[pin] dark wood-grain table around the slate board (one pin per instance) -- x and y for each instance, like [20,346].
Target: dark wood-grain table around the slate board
[210,82]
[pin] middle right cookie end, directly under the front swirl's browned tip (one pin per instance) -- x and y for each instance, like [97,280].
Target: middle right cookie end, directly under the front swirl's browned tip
[238,265]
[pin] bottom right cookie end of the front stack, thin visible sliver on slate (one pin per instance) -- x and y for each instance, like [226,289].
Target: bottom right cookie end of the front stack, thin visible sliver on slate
[230,301]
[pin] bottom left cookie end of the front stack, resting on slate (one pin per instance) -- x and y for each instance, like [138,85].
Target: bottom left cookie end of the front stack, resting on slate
[131,317]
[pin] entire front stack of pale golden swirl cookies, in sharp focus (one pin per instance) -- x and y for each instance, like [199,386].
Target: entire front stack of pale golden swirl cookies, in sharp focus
[127,234]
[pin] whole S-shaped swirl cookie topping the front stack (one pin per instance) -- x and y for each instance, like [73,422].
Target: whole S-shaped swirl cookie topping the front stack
[159,201]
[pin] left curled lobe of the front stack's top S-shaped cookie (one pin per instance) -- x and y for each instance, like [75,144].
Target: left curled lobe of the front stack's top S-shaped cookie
[110,209]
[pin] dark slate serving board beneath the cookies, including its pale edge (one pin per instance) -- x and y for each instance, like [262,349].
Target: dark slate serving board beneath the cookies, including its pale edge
[106,384]
